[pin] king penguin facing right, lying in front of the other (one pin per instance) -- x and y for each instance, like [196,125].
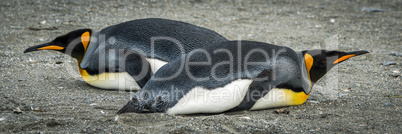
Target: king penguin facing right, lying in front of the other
[235,75]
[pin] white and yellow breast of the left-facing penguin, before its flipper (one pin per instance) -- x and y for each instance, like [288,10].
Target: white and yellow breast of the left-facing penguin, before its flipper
[113,81]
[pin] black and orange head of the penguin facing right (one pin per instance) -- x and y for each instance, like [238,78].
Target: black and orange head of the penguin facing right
[319,62]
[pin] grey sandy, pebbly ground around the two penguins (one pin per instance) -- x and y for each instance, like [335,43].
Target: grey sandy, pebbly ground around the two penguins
[359,95]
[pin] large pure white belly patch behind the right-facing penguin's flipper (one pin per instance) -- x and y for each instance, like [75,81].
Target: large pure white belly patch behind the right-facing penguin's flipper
[201,100]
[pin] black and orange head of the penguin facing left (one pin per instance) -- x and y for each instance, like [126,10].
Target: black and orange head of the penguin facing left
[73,43]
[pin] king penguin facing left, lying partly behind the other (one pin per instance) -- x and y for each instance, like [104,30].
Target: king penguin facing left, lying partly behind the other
[125,56]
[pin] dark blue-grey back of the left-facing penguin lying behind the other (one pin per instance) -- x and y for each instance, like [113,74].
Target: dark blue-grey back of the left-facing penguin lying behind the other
[168,36]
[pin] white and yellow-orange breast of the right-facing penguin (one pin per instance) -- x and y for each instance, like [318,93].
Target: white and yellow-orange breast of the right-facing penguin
[279,98]
